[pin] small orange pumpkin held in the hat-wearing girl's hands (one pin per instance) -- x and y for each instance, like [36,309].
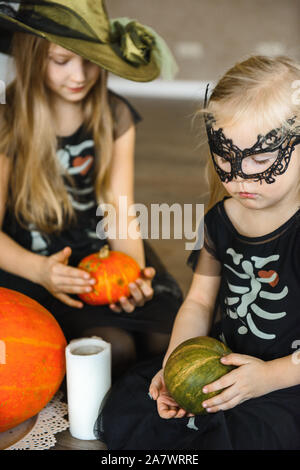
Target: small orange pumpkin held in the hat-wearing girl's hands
[113,272]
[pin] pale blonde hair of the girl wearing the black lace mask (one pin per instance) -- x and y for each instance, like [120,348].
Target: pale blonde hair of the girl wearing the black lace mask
[260,90]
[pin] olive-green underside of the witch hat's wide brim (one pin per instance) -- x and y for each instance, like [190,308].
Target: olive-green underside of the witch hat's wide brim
[102,55]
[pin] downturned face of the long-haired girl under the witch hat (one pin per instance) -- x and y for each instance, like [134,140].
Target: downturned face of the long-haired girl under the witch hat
[69,76]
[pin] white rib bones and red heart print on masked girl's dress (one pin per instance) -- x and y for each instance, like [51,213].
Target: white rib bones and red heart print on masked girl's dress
[242,304]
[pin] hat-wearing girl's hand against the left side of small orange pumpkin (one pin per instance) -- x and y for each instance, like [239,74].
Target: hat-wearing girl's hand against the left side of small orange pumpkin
[60,279]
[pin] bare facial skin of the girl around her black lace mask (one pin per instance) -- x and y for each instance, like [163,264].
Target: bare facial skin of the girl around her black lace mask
[258,194]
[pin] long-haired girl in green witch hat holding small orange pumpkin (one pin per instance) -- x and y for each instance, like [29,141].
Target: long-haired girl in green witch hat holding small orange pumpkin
[67,145]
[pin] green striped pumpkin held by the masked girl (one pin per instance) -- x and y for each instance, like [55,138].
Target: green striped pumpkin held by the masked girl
[192,365]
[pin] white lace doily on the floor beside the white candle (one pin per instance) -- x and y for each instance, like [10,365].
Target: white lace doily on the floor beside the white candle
[49,422]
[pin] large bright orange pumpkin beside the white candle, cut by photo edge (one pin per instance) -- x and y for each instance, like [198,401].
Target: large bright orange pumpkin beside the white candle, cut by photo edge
[32,357]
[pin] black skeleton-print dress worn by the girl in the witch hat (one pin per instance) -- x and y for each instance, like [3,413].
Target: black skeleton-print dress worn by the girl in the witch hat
[76,154]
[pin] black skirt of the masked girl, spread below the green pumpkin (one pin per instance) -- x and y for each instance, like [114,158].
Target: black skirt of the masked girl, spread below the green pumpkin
[129,420]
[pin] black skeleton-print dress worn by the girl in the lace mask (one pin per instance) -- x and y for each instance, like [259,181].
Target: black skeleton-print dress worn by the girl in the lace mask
[258,302]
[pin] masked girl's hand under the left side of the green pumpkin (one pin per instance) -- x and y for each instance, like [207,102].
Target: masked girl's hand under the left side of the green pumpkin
[166,406]
